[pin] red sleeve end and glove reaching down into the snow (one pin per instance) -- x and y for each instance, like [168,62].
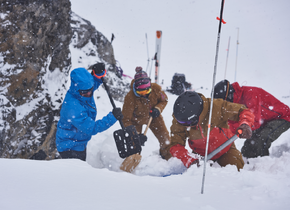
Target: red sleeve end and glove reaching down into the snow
[181,153]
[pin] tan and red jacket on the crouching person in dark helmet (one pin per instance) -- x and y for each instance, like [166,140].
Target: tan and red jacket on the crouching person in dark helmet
[220,132]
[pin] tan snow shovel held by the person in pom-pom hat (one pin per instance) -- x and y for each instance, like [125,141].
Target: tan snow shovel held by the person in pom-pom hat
[131,162]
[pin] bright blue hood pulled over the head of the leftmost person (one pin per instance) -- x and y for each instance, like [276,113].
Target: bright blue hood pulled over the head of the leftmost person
[81,79]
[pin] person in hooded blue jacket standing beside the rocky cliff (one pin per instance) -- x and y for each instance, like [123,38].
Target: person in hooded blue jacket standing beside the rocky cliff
[78,112]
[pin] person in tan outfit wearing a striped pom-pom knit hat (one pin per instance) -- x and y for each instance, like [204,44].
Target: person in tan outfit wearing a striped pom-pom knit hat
[146,99]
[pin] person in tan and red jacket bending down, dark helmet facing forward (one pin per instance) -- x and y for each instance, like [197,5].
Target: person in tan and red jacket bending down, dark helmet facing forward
[190,121]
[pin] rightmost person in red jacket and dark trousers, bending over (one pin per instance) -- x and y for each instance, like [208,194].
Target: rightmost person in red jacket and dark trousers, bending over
[272,117]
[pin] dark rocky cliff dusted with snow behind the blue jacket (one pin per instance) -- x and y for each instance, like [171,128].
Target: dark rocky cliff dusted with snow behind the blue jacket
[35,61]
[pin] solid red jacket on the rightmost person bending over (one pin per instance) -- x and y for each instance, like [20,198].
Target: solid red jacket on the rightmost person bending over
[264,105]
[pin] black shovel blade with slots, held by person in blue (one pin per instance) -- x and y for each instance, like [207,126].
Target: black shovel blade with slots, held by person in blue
[127,141]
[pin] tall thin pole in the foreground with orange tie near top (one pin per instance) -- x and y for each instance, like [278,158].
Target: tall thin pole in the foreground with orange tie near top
[212,91]
